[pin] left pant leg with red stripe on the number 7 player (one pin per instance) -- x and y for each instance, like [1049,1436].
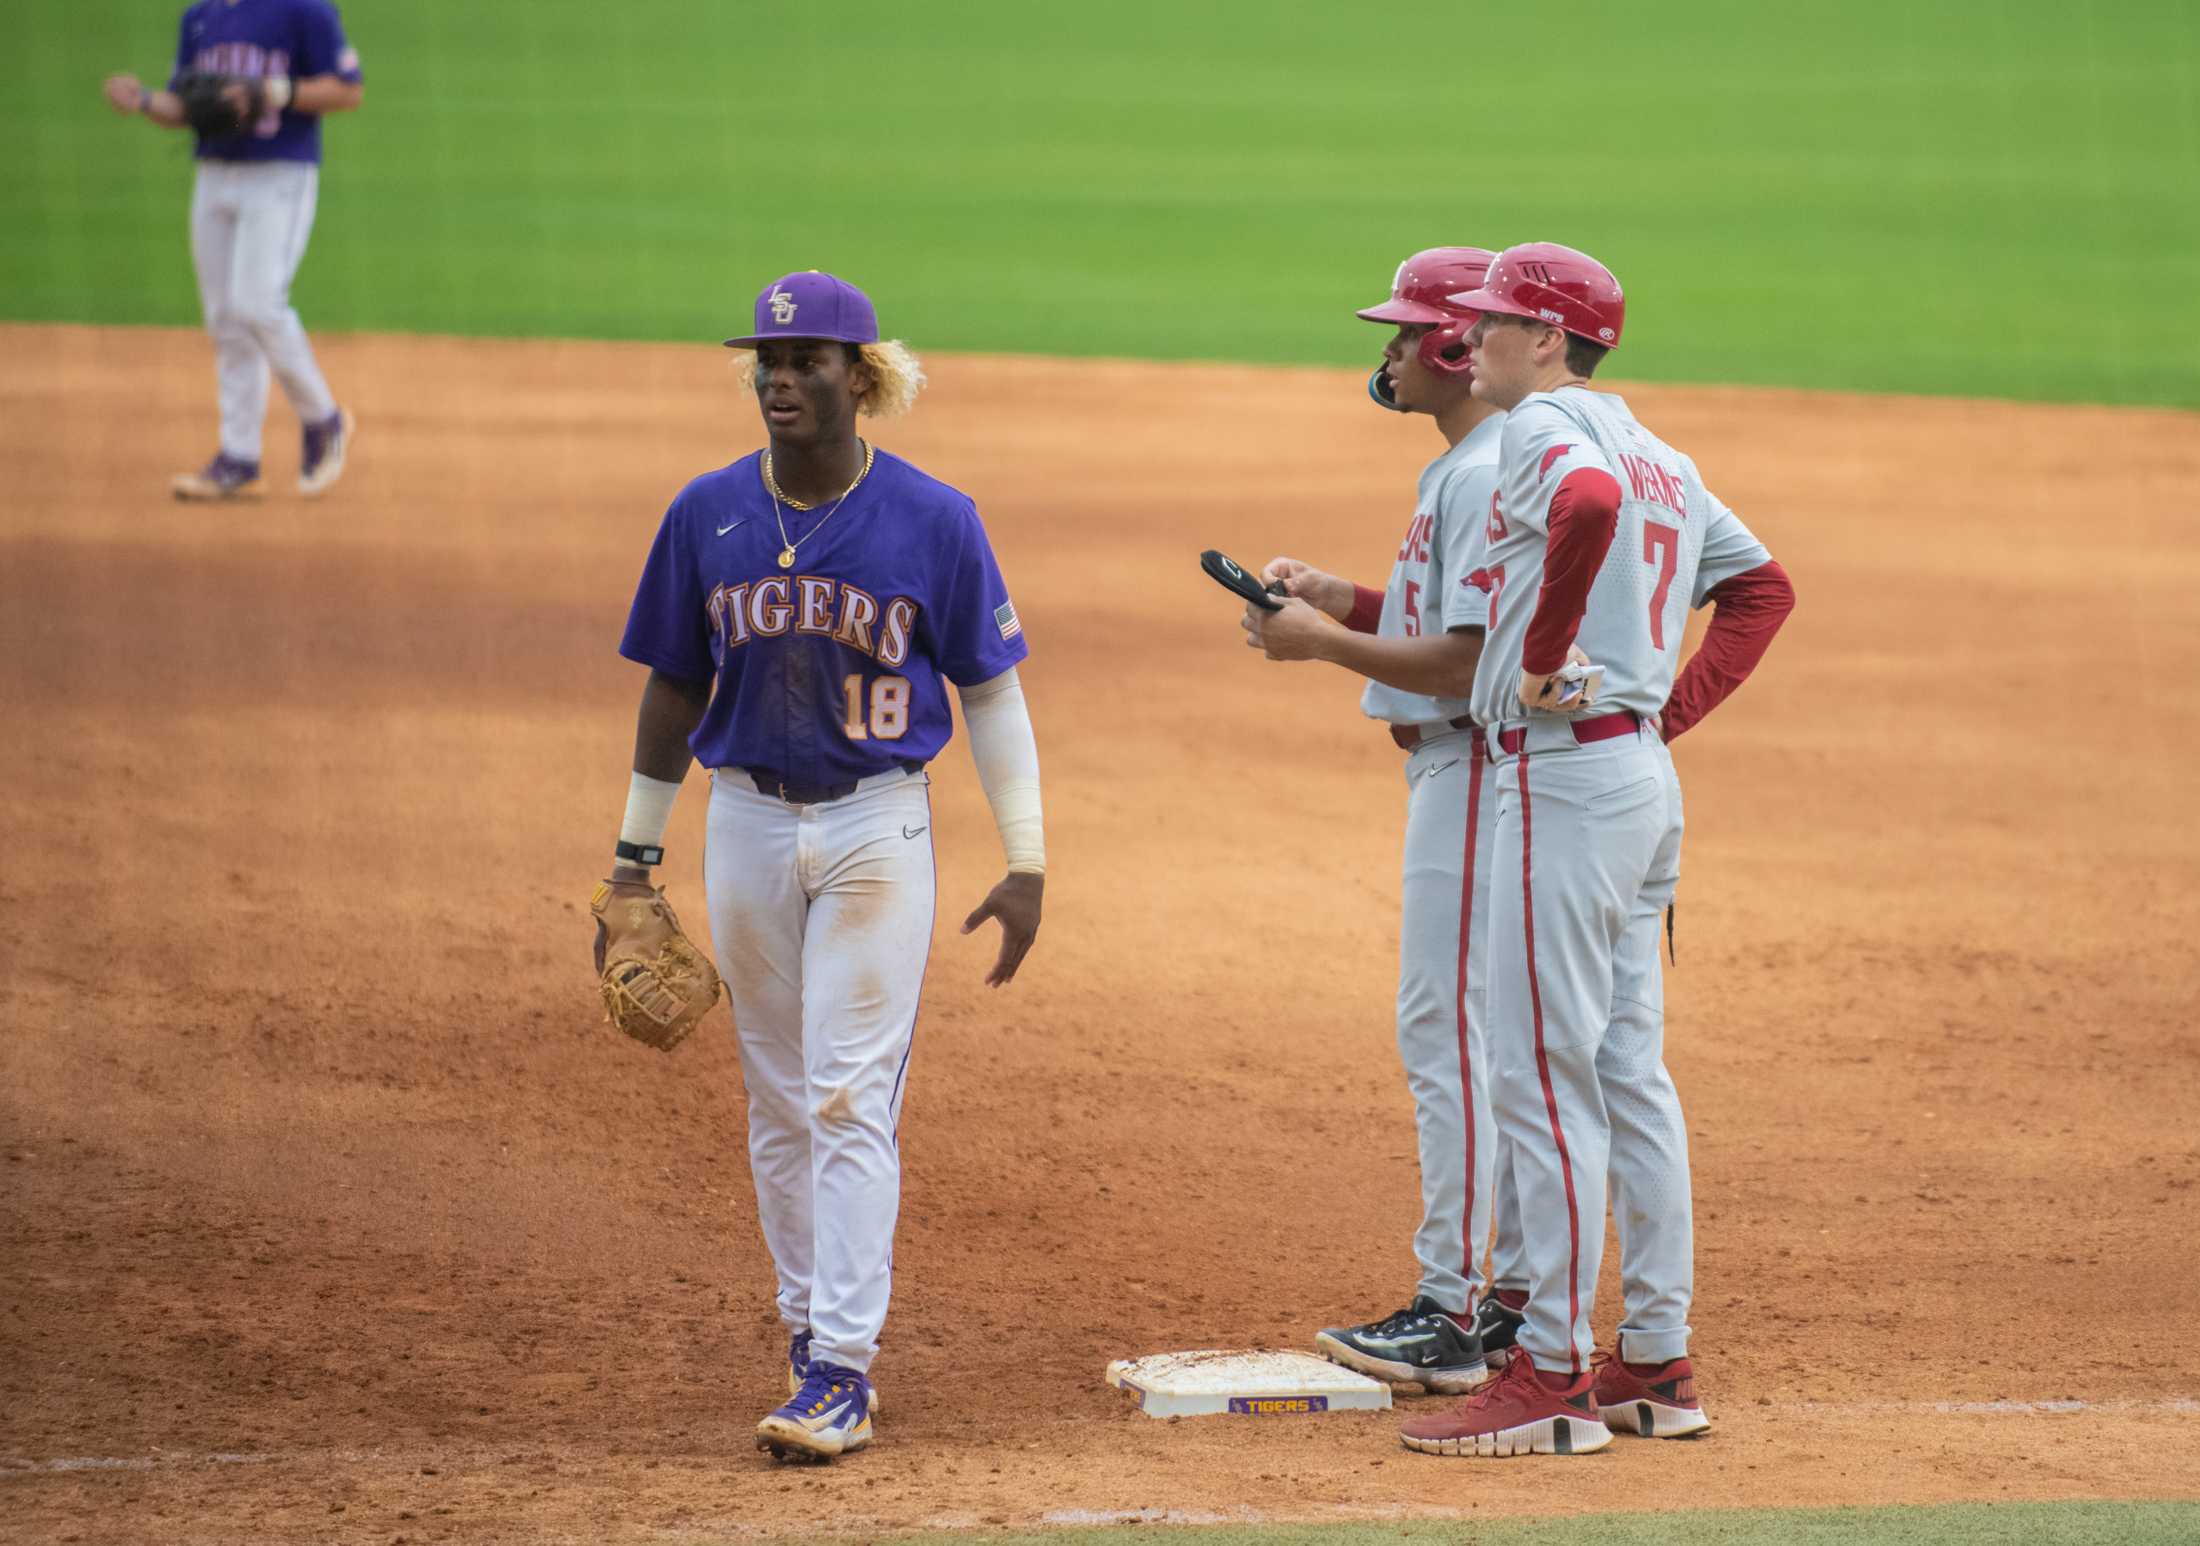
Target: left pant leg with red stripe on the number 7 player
[1578,832]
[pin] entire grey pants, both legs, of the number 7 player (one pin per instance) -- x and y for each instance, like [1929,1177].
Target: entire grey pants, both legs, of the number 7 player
[1587,857]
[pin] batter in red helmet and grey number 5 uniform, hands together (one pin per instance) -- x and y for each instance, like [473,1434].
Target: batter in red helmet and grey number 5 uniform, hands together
[1418,645]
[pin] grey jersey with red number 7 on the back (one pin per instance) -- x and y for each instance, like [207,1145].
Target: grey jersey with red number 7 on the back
[1673,544]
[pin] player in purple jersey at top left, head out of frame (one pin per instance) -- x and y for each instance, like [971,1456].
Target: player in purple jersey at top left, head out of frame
[280,65]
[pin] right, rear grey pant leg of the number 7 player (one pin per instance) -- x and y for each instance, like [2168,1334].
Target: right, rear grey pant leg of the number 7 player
[1649,1167]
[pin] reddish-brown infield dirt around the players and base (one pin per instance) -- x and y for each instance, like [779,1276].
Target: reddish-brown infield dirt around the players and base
[335,1213]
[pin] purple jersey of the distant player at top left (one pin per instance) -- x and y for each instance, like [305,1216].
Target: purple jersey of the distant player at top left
[294,38]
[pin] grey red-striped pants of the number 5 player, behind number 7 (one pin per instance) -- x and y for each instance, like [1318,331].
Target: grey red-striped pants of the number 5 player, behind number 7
[1440,1028]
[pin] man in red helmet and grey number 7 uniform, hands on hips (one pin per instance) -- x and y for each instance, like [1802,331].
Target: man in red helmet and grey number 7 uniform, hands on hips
[1600,538]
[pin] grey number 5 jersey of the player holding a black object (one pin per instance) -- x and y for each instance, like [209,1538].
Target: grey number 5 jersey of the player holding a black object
[1433,582]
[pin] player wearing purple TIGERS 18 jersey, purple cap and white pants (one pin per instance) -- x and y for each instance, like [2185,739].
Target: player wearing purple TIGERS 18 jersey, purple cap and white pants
[802,615]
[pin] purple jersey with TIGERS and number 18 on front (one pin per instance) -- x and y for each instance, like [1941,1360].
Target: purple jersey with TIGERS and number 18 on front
[833,670]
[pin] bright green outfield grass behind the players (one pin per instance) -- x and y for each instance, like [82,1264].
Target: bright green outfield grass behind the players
[1972,197]
